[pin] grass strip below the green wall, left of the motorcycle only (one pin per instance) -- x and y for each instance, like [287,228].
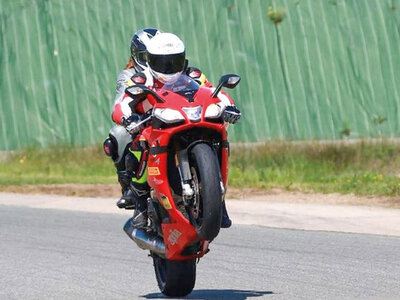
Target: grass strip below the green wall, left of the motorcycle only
[56,166]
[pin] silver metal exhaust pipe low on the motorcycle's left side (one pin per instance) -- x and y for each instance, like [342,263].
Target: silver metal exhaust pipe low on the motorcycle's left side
[145,240]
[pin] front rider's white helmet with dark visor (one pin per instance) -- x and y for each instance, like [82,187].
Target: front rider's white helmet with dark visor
[166,57]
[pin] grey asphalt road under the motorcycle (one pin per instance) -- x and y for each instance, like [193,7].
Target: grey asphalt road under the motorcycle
[49,254]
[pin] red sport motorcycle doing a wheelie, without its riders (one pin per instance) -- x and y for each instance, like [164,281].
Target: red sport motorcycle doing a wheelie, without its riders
[187,172]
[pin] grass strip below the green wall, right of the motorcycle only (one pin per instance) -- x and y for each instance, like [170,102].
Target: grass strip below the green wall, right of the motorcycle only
[361,168]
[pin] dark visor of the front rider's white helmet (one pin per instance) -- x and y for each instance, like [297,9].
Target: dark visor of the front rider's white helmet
[167,64]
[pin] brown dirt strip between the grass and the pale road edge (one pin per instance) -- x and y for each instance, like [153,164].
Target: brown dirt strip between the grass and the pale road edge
[275,195]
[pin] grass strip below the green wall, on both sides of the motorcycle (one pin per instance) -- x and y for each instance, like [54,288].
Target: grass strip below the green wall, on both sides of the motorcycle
[362,168]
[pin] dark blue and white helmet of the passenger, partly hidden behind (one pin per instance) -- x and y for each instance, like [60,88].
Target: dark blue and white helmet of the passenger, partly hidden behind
[138,46]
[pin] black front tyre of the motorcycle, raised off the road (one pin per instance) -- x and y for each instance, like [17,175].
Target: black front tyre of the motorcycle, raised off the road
[207,171]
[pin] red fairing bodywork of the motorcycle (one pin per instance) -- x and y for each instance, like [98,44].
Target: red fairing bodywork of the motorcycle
[179,233]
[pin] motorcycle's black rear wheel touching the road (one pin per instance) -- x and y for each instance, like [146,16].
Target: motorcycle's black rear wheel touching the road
[175,278]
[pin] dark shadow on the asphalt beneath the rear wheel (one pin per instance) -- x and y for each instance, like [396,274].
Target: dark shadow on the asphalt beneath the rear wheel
[215,294]
